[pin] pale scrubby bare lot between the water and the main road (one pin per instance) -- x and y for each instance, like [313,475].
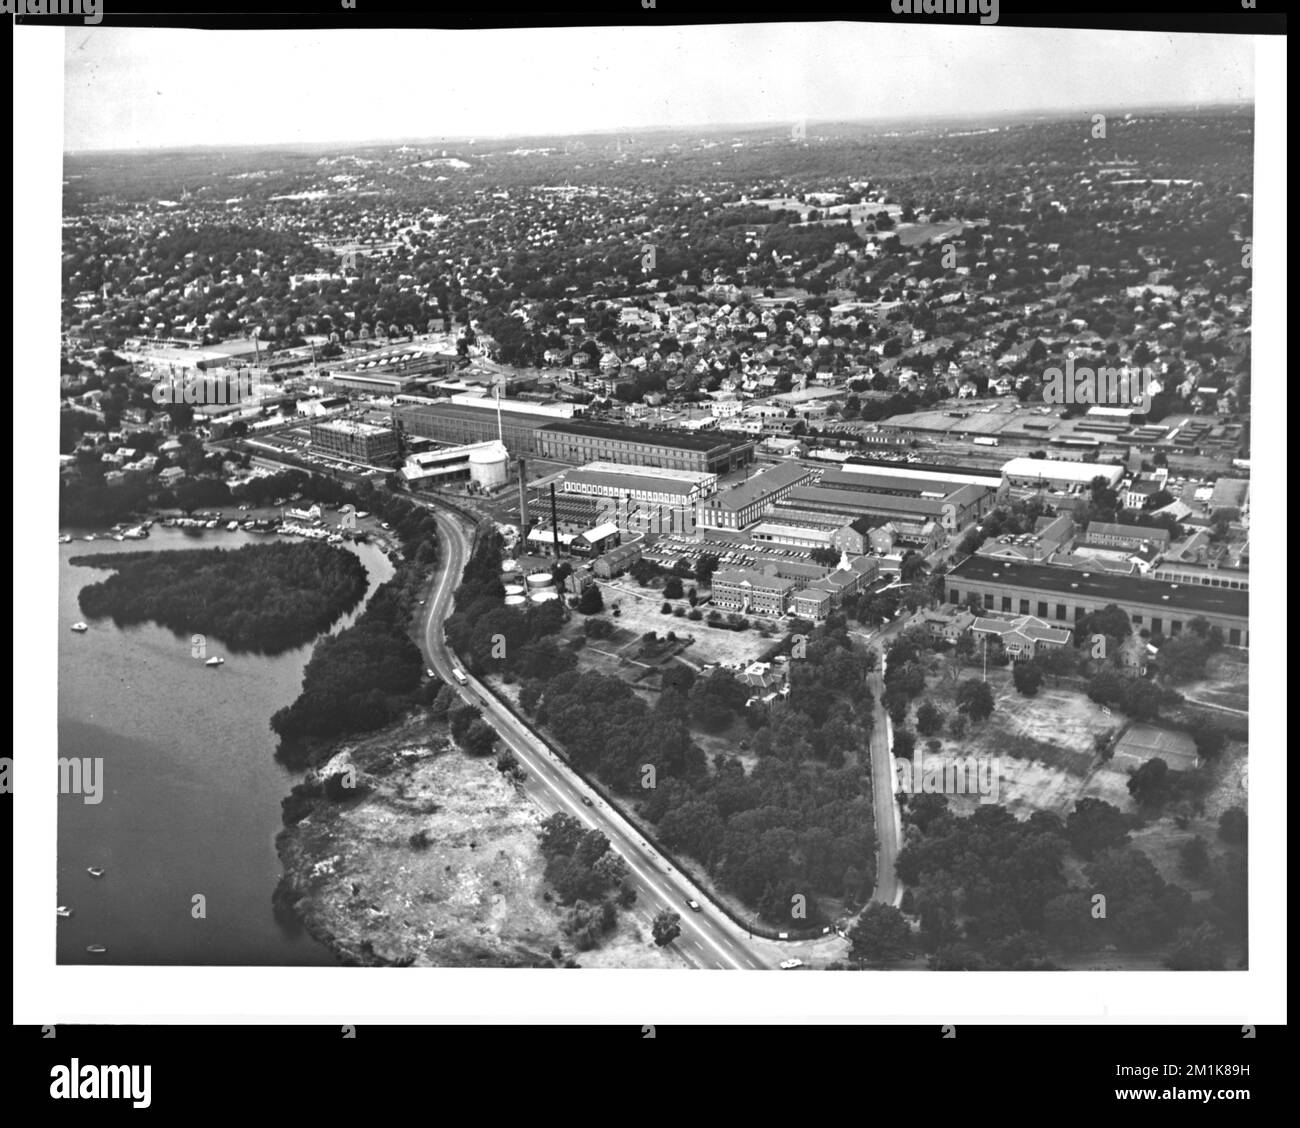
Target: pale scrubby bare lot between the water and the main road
[474,897]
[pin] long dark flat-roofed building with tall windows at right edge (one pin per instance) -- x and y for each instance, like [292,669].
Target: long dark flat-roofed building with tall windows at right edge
[1064,596]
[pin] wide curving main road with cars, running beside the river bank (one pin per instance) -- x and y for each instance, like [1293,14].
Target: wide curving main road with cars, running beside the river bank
[708,940]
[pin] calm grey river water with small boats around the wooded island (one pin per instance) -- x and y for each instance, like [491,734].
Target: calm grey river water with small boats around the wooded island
[190,784]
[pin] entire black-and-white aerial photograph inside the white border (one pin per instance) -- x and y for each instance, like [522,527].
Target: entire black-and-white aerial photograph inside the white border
[760,497]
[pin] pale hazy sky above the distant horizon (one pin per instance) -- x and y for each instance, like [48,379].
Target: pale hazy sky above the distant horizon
[145,89]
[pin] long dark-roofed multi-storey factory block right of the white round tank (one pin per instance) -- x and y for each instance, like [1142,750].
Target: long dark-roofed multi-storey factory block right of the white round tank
[579,441]
